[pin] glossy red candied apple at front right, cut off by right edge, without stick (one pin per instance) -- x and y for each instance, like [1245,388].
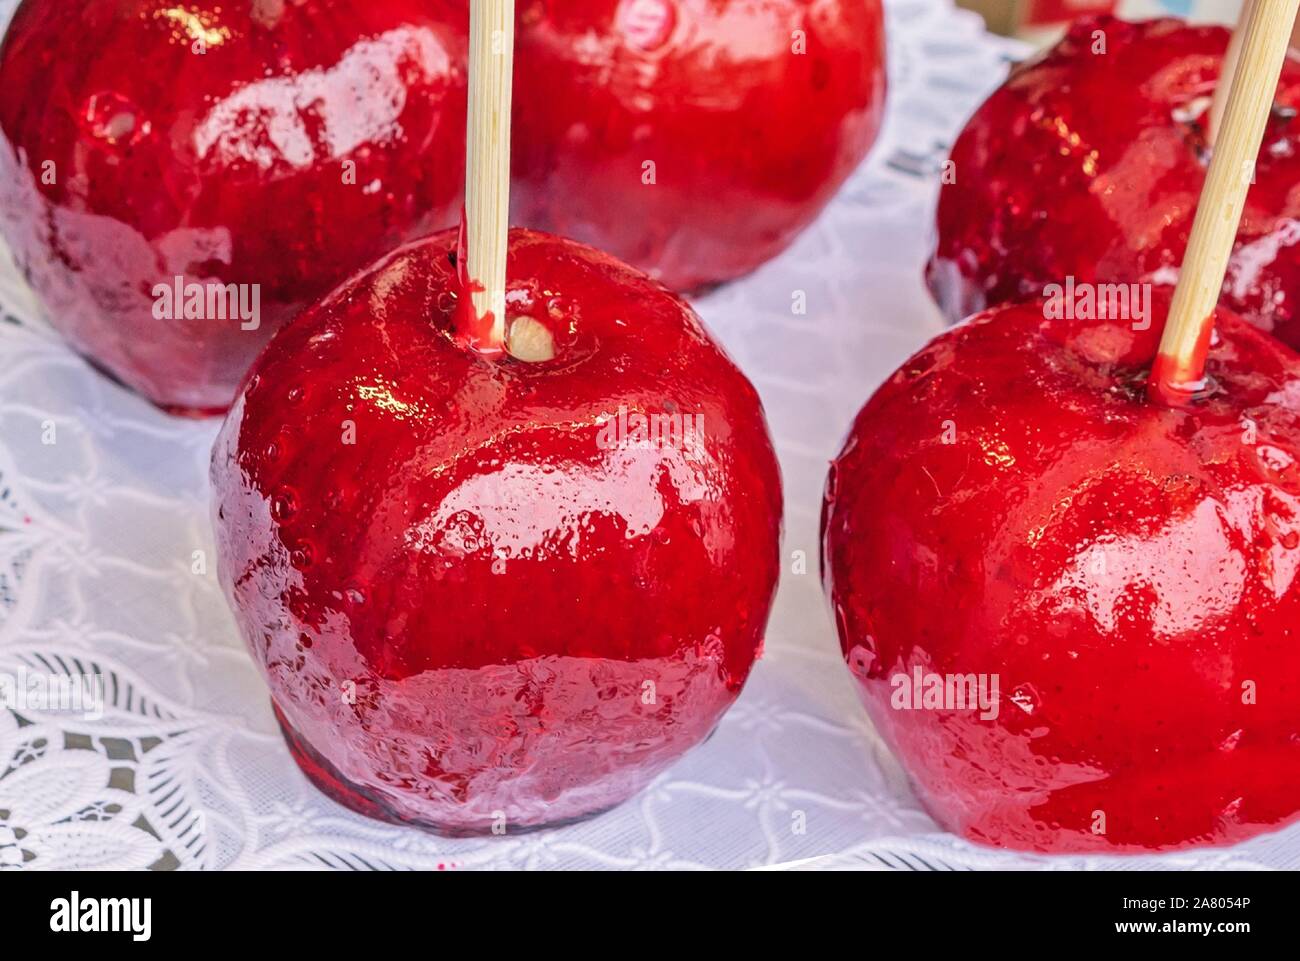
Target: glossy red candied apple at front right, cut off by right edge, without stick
[1011,505]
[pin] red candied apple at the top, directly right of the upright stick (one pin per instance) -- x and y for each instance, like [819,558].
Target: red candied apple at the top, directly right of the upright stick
[752,112]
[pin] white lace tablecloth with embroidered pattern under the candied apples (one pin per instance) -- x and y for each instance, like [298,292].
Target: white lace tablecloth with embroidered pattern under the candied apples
[99,534]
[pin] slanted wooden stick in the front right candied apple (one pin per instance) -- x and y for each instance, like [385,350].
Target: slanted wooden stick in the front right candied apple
[1181,365]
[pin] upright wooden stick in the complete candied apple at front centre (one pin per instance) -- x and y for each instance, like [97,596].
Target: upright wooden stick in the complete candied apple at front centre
[492,64]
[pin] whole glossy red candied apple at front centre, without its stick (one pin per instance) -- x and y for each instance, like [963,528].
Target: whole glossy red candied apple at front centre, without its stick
[535,608]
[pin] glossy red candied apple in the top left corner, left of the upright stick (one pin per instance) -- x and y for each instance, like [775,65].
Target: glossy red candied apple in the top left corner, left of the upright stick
[280,144]
